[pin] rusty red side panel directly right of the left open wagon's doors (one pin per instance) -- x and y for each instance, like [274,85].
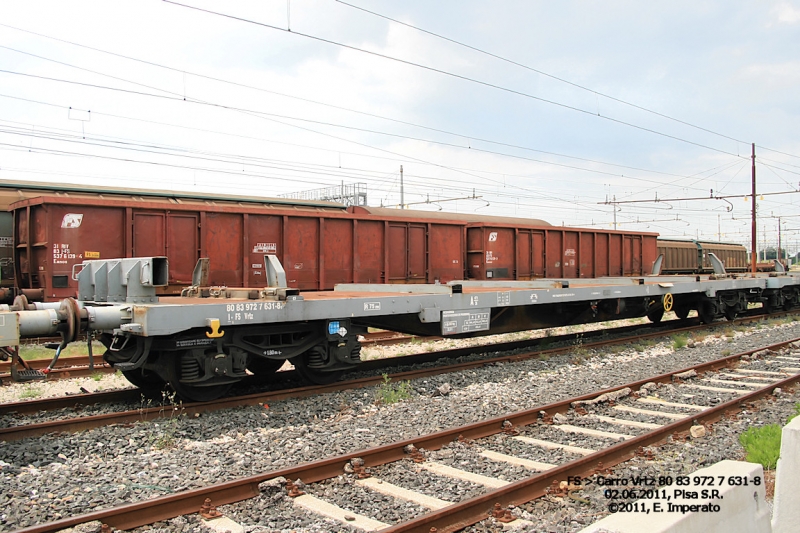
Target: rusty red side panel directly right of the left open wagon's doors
[222,241]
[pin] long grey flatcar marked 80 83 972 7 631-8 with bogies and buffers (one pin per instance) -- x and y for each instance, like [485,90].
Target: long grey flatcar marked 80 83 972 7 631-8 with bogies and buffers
[212,337]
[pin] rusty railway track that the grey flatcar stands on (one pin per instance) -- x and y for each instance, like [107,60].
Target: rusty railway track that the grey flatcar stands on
[157,405]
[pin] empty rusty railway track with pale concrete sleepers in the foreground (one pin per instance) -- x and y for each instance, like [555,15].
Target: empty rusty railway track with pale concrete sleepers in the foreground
[636,416]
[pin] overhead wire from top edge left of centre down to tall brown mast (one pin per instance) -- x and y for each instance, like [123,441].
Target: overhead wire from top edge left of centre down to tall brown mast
[451,74]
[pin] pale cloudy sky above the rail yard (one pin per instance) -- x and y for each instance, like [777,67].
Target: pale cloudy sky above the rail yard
[538,109]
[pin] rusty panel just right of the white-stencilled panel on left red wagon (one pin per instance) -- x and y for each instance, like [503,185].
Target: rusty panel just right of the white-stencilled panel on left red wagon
[302,253]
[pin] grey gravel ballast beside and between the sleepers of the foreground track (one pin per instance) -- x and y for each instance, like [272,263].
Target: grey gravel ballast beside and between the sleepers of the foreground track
[61,475]
